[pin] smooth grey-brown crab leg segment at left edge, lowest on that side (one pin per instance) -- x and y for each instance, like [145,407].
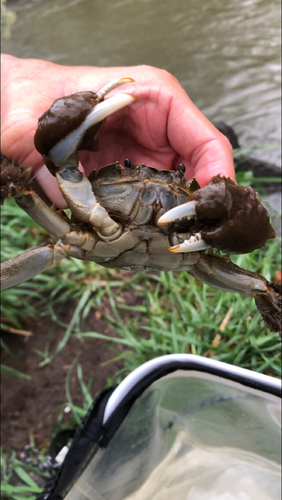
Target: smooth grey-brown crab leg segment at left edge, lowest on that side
[30,263]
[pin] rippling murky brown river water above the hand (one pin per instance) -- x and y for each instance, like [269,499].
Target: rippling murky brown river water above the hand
[225,54]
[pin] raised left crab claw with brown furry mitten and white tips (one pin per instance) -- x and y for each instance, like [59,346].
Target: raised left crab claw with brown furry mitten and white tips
[73,122]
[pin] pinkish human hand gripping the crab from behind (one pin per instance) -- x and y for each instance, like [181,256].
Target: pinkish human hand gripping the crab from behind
[162,128]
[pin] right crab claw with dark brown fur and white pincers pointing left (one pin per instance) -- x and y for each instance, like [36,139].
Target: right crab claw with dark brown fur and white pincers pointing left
[223,215]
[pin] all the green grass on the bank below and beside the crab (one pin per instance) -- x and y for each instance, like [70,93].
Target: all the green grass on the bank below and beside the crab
[166,313]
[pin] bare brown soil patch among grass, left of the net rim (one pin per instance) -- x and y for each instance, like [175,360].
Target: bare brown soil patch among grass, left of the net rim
[30,407]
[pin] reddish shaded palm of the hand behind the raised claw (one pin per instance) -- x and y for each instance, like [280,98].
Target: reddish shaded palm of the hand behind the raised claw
[132,133]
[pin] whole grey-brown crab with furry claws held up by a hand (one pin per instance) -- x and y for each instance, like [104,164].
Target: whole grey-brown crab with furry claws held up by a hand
[135,216]
